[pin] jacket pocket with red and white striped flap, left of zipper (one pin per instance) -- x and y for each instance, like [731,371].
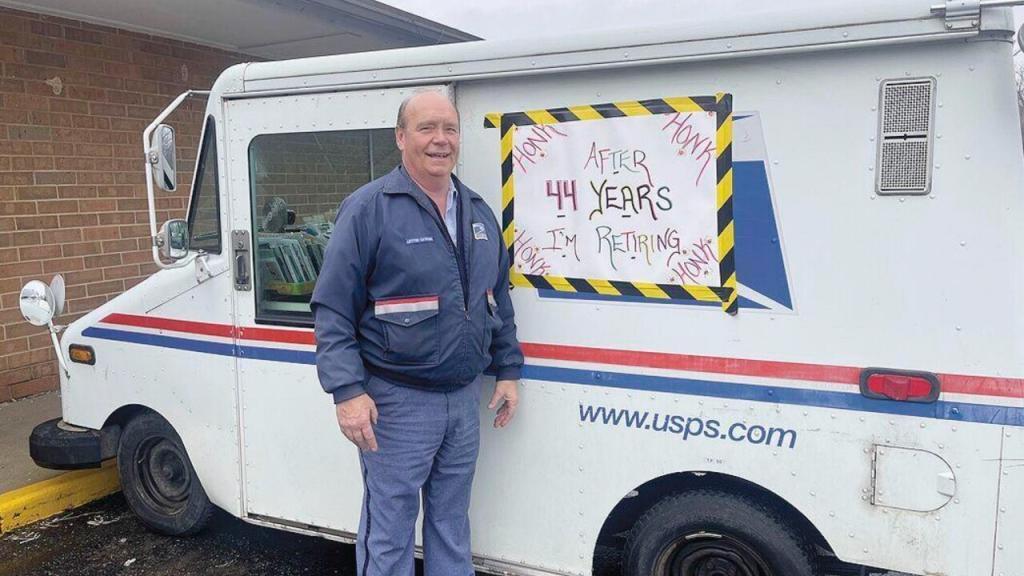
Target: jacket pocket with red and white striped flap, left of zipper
[410,330]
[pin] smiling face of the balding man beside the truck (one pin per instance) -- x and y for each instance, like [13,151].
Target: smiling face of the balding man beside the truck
[430,140]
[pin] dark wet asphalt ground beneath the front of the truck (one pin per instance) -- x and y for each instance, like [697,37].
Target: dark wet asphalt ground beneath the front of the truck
[104,539]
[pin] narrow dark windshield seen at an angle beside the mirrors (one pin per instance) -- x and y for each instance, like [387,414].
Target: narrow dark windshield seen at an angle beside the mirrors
[204,214]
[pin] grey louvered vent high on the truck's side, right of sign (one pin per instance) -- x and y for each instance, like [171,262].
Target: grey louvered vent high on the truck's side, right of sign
[907,116]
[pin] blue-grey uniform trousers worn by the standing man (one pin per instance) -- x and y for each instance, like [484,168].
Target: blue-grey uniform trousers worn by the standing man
[428,446]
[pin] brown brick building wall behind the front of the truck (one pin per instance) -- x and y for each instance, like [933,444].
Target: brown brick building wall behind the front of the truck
[74,101]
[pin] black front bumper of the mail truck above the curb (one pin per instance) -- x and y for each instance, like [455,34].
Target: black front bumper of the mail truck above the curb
[57,445]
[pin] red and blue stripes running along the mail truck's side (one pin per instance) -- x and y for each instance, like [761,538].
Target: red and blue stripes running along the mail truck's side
[965,398]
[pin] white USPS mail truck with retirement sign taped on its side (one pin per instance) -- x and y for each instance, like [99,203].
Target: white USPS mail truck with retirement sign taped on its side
[767,278]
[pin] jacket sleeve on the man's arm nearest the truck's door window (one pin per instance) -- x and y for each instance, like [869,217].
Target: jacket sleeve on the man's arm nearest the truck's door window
[339,300]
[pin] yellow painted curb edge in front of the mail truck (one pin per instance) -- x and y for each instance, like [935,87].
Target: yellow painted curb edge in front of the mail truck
[50,498]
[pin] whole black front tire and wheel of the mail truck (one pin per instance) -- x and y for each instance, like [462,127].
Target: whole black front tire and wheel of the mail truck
[158,479]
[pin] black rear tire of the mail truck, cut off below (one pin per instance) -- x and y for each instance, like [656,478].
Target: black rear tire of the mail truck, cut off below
[709,533]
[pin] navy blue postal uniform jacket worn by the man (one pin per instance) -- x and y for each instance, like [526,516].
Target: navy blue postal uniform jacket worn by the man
[394,300]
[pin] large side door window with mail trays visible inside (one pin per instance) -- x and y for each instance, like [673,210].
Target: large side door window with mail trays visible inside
[298,181]
